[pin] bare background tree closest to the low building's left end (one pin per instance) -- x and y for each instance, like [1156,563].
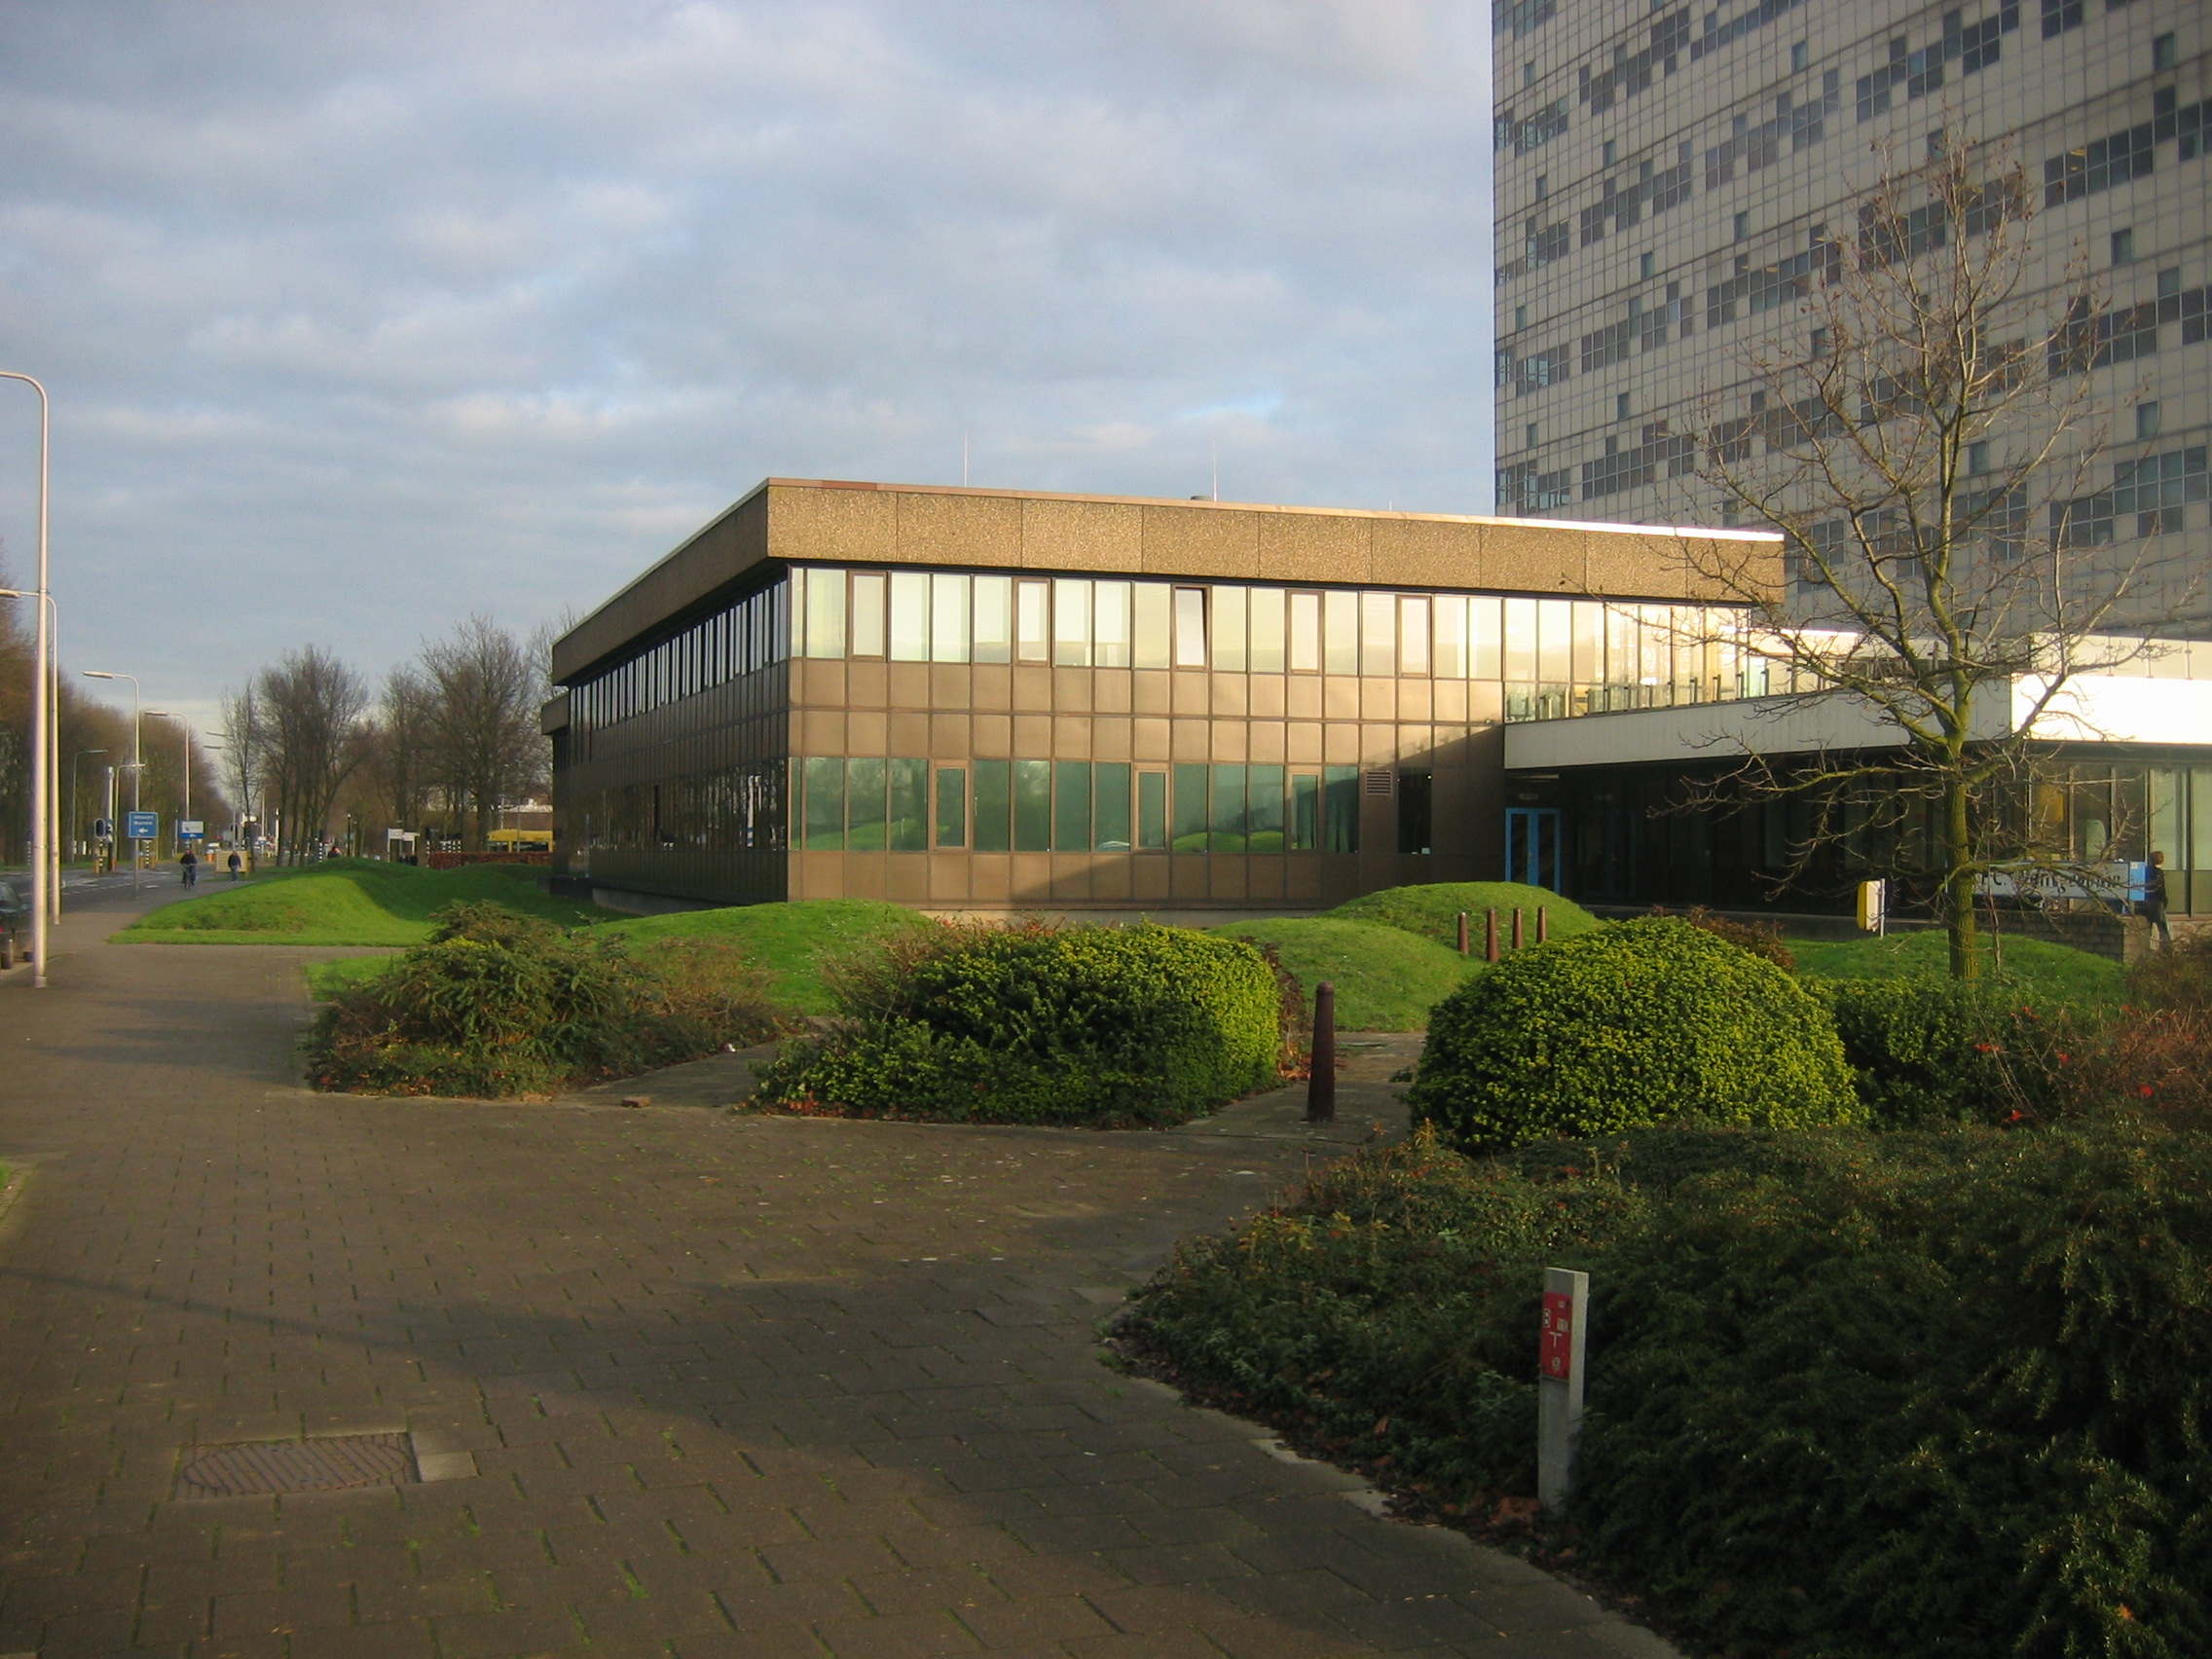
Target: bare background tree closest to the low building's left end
[486,689]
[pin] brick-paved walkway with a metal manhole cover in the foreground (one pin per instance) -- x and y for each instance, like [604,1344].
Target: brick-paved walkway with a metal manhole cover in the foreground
[680,1381]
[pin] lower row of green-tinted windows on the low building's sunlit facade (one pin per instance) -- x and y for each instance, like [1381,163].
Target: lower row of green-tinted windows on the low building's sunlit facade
[1078,806]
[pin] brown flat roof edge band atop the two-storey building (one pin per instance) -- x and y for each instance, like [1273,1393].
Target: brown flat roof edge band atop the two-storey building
[839,521]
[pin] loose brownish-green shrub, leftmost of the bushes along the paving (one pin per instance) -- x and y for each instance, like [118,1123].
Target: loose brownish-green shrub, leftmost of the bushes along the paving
[503,1005]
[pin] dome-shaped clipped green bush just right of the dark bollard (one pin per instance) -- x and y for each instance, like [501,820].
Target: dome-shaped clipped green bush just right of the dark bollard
[1645,1023]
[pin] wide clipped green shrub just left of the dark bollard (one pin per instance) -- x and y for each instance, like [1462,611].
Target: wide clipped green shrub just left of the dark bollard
[1043,1025]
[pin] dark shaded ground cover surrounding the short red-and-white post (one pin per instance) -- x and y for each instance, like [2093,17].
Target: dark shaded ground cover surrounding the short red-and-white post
[1853,1397]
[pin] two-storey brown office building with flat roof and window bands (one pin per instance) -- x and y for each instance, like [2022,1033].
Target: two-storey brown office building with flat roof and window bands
[983,700]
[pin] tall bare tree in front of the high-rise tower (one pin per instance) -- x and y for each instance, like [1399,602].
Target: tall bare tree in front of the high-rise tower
[1923,432]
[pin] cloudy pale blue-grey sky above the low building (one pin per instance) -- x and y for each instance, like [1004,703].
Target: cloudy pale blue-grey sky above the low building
[362,317]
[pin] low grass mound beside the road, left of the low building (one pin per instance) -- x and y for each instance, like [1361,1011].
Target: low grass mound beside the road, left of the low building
[348,901]
